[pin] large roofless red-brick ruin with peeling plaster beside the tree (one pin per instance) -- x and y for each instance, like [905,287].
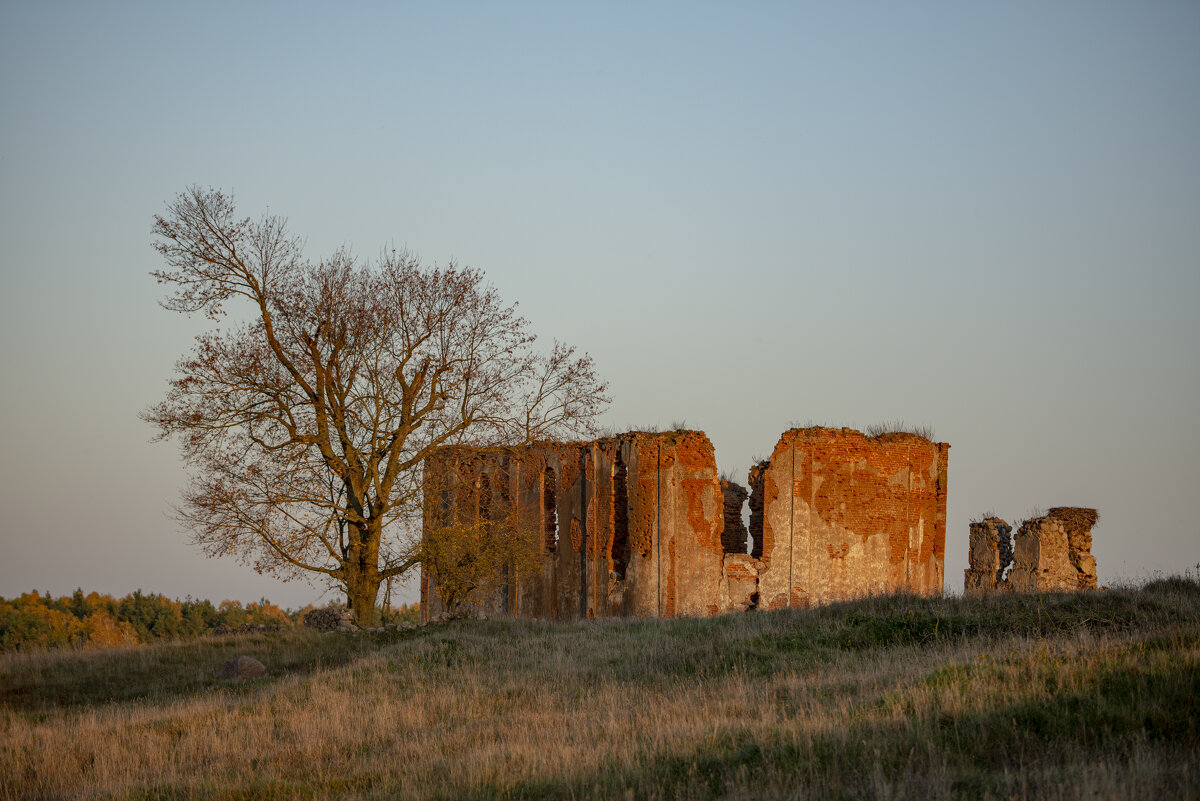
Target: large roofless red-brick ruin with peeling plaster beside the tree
[641,525]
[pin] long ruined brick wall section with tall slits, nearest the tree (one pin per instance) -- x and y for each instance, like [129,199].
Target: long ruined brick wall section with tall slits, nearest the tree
[639,521]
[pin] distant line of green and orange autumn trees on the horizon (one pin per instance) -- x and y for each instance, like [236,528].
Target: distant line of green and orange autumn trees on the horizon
[40,621]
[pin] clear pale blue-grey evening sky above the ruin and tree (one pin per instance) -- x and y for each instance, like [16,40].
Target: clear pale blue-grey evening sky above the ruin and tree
[979,218]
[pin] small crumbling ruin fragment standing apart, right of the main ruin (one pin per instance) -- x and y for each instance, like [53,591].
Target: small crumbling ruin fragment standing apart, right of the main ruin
[1049,553]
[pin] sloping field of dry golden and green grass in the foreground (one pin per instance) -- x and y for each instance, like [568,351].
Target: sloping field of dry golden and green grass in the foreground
[1088,696]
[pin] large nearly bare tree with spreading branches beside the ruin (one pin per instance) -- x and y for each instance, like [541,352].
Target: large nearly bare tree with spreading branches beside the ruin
[305,429]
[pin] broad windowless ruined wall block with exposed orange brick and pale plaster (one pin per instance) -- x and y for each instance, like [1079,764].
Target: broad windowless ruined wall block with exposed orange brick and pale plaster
[848,515]
